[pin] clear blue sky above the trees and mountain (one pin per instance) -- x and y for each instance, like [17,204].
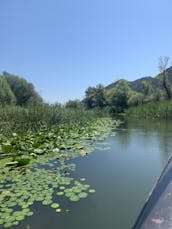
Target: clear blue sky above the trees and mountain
[64,46]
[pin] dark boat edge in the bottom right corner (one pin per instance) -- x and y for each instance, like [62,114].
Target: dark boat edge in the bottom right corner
[157,211]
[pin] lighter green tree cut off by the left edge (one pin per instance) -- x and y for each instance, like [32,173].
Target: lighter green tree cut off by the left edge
[6,95]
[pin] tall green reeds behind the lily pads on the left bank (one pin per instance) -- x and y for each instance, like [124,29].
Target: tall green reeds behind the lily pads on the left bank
[33,118]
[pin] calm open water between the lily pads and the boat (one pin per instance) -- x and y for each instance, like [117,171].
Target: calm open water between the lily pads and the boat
[122,178]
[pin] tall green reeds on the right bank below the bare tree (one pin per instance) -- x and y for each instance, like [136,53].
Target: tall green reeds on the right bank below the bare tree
[155,110]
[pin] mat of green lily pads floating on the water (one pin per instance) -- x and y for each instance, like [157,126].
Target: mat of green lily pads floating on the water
[38,166]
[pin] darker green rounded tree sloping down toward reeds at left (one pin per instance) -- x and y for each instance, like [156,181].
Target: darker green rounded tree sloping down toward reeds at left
[24,92]
